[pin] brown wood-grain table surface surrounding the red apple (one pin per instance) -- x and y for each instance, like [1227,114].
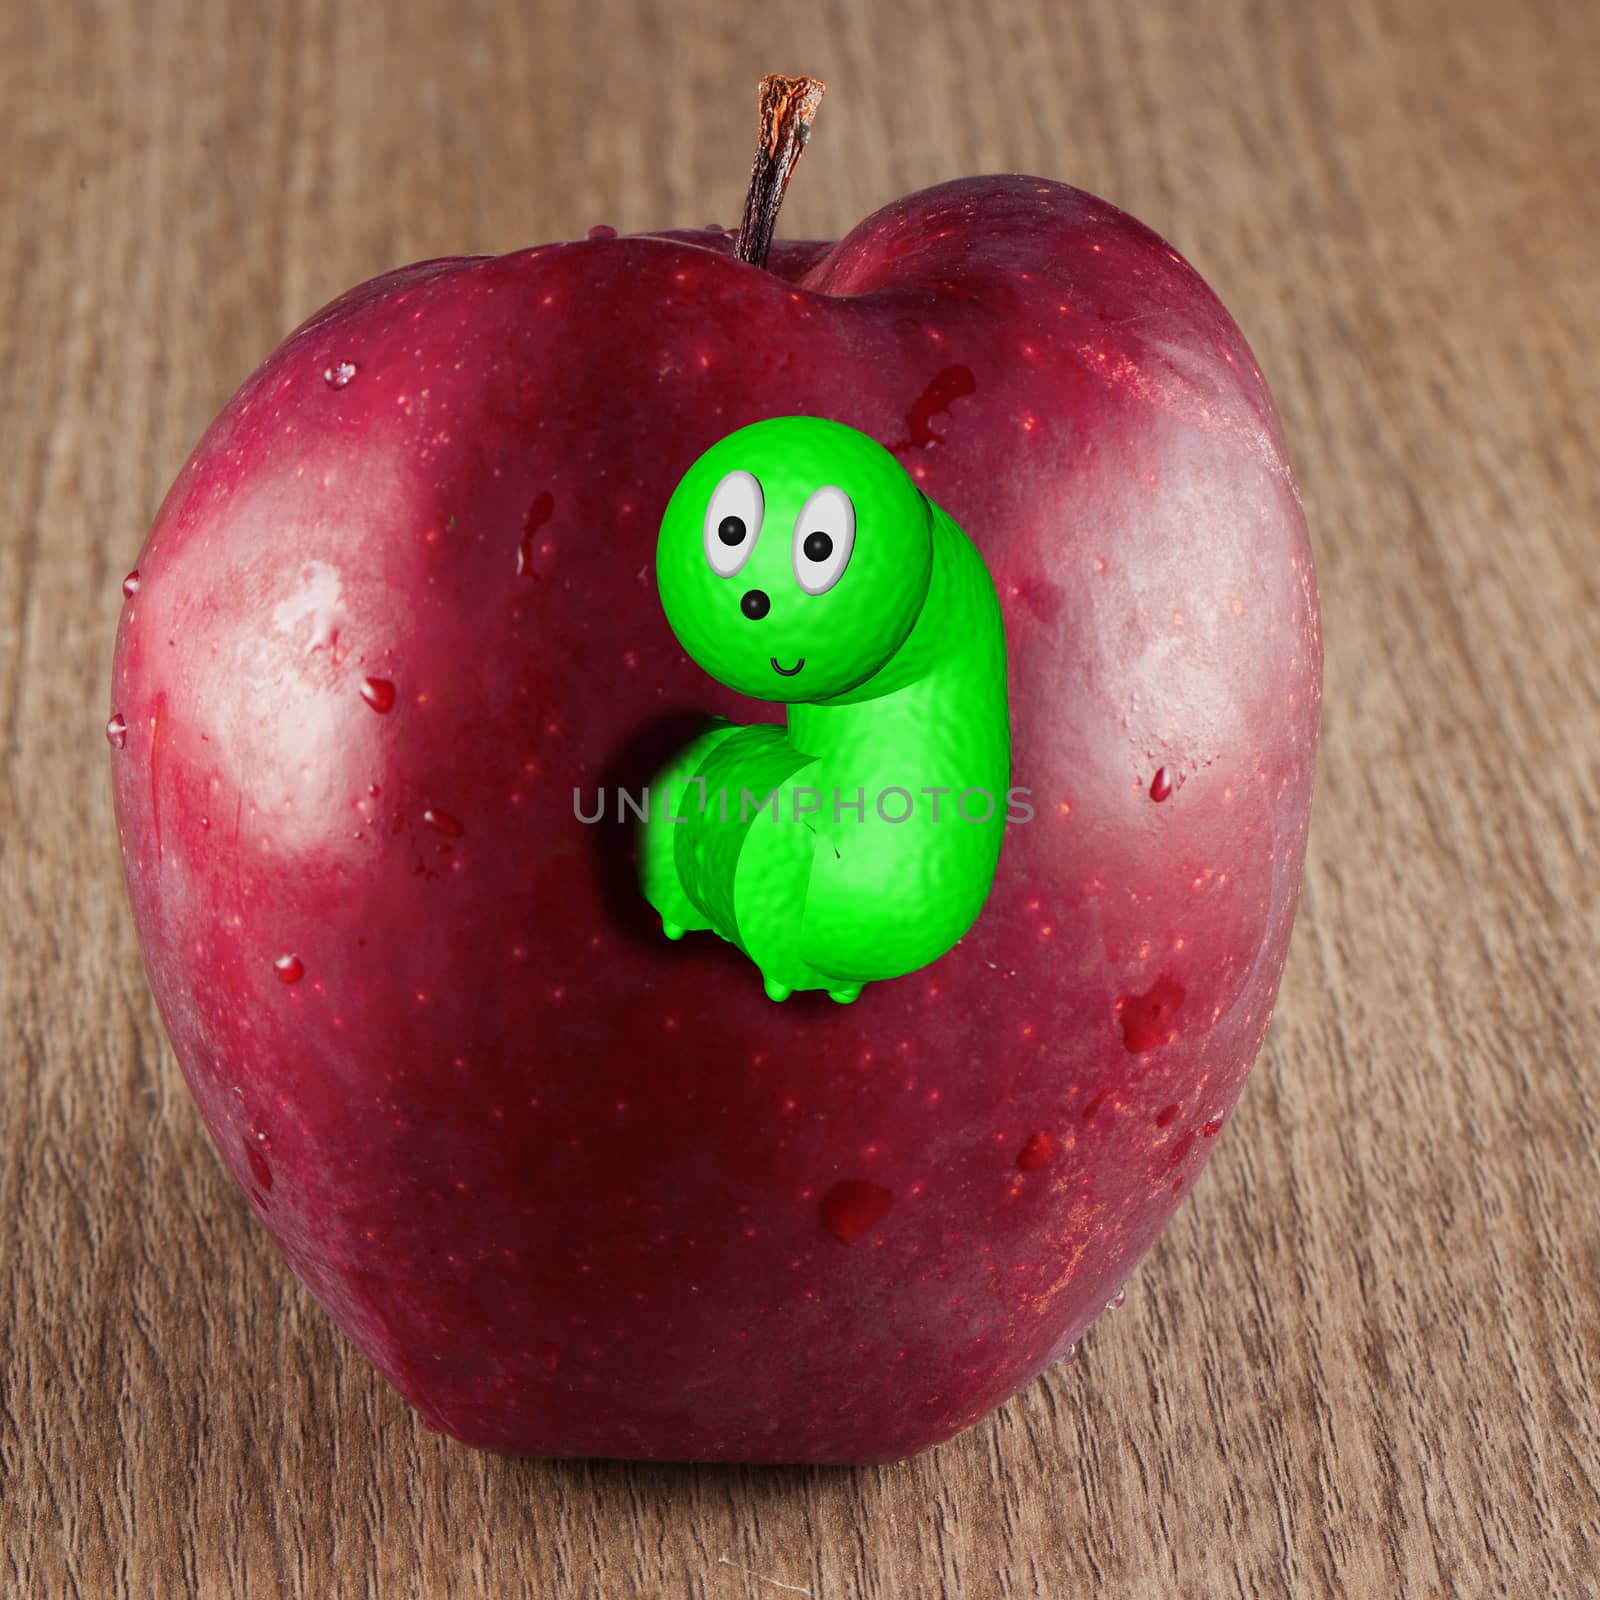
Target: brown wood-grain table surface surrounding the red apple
[1362,1358]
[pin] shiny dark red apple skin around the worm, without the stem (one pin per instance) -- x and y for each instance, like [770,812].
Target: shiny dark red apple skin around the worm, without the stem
[578,1191]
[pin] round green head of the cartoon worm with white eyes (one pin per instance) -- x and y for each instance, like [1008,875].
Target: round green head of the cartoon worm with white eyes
[794,558]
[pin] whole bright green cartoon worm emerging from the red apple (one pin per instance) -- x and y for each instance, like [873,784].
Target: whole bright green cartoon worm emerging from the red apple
[799,561]
